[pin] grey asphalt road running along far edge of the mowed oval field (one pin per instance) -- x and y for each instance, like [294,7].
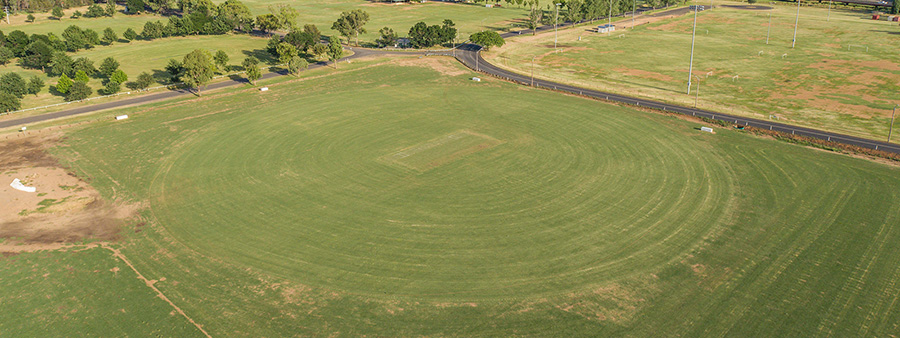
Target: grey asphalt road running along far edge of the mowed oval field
[469,55]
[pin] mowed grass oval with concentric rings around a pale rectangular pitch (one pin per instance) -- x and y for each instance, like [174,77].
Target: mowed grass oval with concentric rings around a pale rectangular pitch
[380,197]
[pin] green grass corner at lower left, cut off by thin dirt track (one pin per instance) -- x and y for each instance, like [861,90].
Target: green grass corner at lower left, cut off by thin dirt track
[84,292]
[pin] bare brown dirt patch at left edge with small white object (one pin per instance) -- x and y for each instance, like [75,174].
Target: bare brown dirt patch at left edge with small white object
[64,209]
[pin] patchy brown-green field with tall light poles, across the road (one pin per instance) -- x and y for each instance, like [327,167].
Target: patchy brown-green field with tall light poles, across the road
[819,84]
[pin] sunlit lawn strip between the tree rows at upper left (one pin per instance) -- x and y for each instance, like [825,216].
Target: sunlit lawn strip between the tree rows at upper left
[146,56]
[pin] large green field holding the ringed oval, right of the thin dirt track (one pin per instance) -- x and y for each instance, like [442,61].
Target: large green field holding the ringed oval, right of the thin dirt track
[514,212]
